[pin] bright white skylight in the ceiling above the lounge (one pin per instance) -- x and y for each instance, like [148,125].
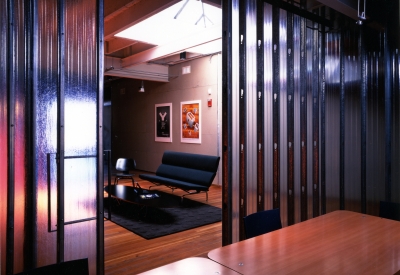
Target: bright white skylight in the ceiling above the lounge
[183,19]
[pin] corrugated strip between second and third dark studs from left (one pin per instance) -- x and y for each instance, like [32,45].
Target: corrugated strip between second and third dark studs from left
[46,128]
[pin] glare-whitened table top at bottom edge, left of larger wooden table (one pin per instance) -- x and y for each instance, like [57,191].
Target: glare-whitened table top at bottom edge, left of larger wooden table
[192,266]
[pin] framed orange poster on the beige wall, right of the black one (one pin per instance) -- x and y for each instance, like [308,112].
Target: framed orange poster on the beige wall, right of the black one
[191,121]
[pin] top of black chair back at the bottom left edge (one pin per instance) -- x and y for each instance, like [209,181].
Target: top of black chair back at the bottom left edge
[76,267]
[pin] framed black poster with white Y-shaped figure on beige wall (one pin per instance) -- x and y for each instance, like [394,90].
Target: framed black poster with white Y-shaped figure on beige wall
[163,117]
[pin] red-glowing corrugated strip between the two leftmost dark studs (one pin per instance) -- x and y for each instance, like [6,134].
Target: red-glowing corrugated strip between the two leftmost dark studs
[18,134]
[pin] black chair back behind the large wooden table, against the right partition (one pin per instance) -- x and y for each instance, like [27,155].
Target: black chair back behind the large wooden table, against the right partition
[262,222]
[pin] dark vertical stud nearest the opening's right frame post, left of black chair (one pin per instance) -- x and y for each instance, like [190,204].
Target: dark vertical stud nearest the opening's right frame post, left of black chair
[242,116]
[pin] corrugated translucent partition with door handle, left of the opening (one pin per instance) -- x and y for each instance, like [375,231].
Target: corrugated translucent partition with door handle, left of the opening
[51,175]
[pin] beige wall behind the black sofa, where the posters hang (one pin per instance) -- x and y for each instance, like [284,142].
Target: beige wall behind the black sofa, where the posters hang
[133,113]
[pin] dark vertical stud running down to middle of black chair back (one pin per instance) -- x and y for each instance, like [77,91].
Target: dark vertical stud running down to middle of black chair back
[260,106]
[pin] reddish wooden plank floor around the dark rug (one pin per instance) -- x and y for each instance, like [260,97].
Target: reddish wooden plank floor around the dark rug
[127,253]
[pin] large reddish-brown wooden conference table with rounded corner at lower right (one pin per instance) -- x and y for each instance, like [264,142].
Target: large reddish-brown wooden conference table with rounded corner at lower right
[340,242]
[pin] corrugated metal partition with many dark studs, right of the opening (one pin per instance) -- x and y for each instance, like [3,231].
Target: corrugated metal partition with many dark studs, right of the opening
[305,113]
